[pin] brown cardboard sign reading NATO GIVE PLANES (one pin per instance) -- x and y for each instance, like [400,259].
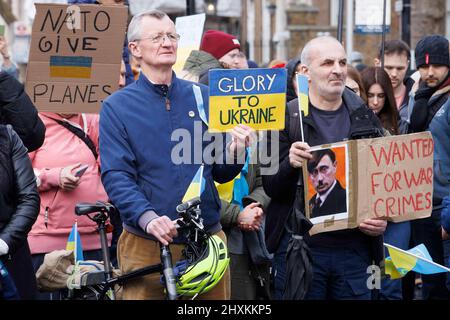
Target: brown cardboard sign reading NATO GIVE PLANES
[75,56]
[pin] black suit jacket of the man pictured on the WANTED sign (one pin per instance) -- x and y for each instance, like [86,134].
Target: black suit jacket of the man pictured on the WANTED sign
[334,203]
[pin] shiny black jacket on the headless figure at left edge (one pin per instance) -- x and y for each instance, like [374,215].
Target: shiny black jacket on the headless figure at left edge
[19,197]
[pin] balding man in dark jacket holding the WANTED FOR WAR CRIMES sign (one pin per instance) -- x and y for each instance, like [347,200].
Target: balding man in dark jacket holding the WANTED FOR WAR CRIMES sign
[334,114]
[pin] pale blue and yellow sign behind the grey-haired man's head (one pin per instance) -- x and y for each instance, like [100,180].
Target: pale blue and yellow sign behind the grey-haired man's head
[190,29]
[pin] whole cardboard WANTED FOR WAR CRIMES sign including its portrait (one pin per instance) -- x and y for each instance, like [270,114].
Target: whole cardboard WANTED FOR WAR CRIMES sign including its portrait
[390,177]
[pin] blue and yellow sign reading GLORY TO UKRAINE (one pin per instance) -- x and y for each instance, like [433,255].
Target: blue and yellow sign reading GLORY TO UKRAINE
[255,97]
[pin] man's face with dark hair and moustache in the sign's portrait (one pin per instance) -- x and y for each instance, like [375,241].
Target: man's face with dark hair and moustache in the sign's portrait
[323,172]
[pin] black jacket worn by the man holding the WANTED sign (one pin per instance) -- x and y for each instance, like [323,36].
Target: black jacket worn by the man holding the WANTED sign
[281,187]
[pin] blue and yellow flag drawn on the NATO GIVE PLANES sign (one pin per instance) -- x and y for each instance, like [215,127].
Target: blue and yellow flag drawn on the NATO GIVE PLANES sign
[70,67]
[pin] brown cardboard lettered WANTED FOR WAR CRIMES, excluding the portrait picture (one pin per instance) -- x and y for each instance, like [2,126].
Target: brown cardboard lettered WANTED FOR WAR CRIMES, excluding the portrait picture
[389,178]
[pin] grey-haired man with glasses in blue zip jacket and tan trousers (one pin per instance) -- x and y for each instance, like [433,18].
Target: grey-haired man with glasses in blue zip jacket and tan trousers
[139,126]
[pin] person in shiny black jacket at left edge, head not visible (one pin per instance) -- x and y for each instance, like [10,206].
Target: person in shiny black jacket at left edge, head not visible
[19,207]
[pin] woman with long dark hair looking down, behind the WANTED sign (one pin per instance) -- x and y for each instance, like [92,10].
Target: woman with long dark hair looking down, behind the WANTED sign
[380,98]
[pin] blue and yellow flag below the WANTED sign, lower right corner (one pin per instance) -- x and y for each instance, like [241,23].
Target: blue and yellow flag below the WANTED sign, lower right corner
[417,259]
